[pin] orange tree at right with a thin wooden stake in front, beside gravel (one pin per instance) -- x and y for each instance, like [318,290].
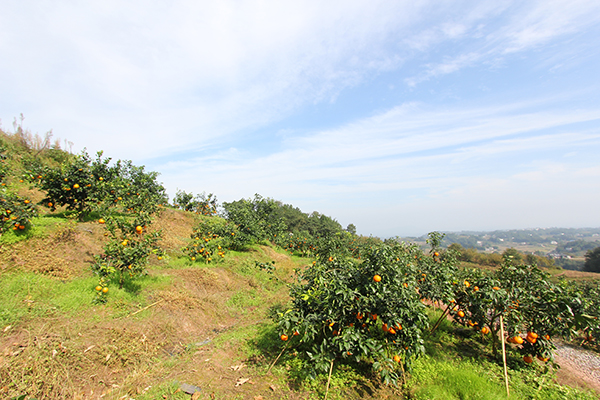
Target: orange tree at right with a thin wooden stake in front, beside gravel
[534,309]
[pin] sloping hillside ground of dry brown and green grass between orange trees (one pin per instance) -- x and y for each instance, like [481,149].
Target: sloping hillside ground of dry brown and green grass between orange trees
[201,324]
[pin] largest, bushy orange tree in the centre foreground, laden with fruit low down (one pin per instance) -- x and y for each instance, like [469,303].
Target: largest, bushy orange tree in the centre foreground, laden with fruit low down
[365,312]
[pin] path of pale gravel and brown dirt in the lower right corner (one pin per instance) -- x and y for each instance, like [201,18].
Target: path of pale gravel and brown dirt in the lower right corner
[579,367]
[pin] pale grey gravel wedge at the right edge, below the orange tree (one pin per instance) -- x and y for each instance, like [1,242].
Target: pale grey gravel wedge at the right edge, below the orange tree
[585,364]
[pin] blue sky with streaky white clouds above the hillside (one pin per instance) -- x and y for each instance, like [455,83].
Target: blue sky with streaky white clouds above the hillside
[400,117]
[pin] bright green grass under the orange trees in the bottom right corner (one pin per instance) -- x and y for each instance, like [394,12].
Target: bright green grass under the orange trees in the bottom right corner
[459,364]
